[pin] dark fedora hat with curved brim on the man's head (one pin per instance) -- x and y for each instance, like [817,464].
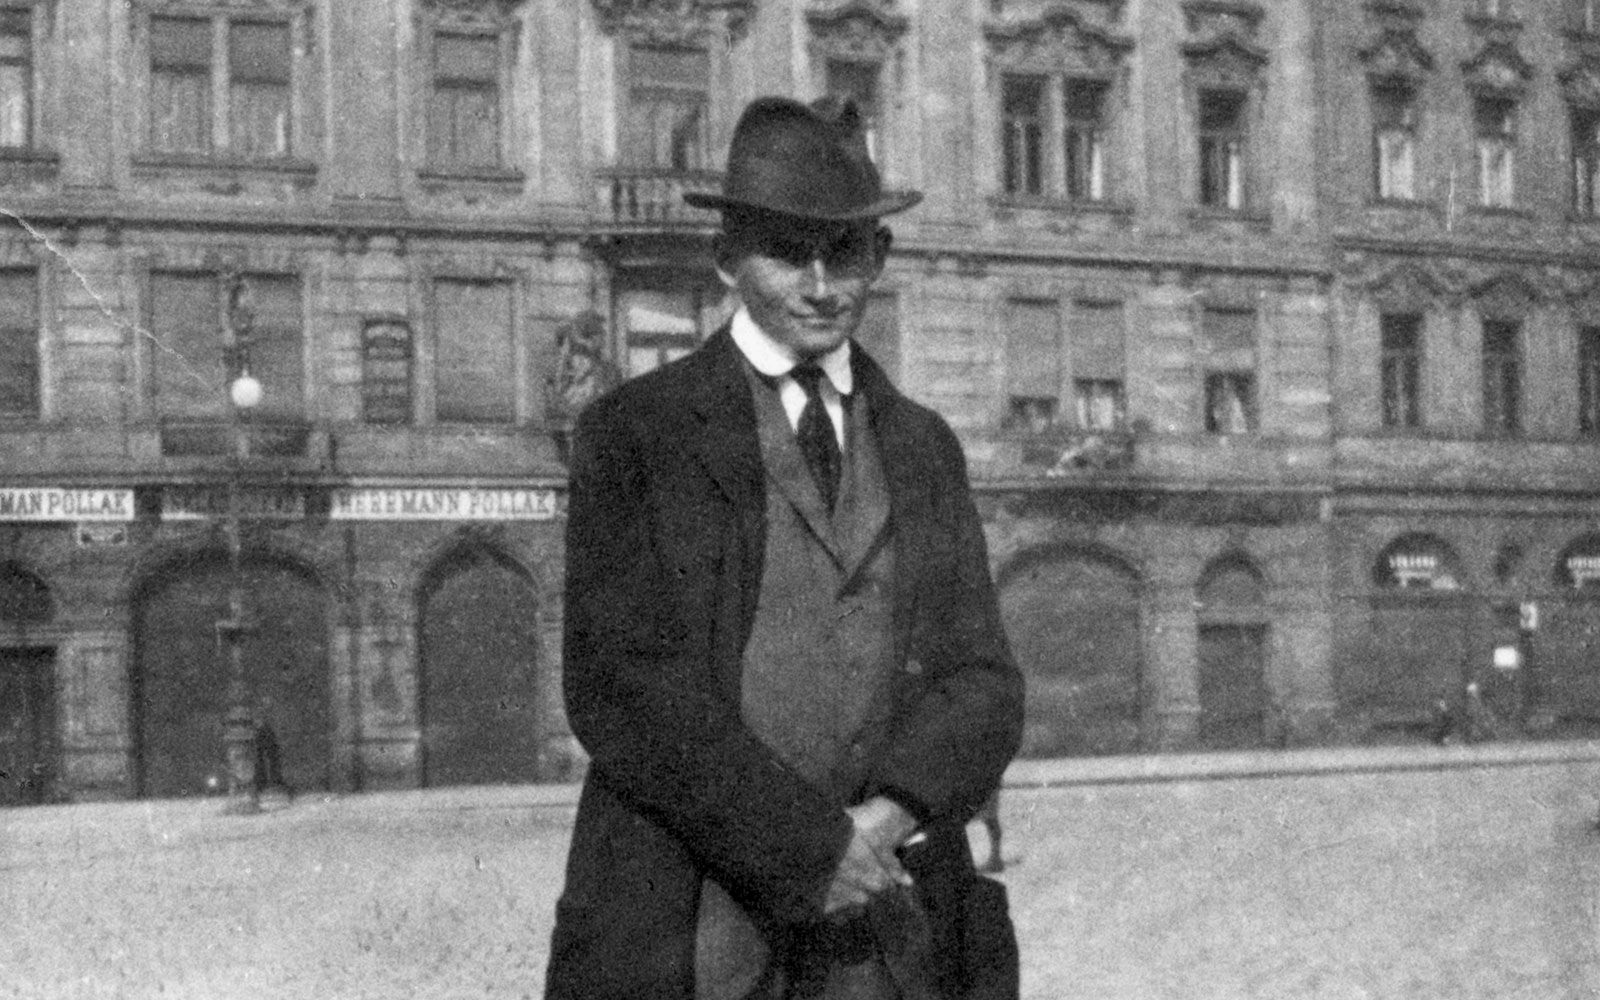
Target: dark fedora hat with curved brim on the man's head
[804,161]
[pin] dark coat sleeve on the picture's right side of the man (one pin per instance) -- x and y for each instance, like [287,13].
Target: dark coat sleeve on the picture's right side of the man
[958,737]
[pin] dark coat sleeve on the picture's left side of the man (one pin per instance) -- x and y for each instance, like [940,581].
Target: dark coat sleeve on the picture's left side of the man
[644,700]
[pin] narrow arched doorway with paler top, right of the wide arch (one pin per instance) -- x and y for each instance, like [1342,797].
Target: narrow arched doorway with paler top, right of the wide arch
[1233,654]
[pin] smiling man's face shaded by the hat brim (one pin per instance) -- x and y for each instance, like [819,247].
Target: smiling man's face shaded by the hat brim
[804,282]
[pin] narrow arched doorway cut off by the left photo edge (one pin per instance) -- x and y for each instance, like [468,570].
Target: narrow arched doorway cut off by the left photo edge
[28,692]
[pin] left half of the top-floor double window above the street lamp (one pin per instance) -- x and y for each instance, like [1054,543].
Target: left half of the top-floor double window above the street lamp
[182,86]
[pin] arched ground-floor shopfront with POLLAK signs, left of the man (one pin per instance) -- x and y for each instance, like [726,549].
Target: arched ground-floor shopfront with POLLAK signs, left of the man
[394,636]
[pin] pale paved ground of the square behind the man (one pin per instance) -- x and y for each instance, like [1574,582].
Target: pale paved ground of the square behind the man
[1337,879]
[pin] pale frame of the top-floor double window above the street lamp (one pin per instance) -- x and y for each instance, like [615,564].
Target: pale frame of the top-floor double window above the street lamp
[220,126]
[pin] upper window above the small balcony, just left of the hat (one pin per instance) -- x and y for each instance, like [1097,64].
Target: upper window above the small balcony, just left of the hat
[668,100]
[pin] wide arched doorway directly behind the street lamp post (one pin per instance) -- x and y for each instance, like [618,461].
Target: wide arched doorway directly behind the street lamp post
[182,673]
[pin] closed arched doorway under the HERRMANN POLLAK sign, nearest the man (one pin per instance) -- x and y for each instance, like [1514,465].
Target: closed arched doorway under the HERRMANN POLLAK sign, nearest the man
[481,681]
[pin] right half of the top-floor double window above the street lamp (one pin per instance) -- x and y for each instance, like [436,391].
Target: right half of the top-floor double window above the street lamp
[258,89]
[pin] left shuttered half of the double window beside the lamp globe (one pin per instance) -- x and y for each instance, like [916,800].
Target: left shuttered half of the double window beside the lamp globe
[186,348]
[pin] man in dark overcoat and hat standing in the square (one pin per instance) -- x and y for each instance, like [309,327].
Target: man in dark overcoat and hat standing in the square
[783,650]
